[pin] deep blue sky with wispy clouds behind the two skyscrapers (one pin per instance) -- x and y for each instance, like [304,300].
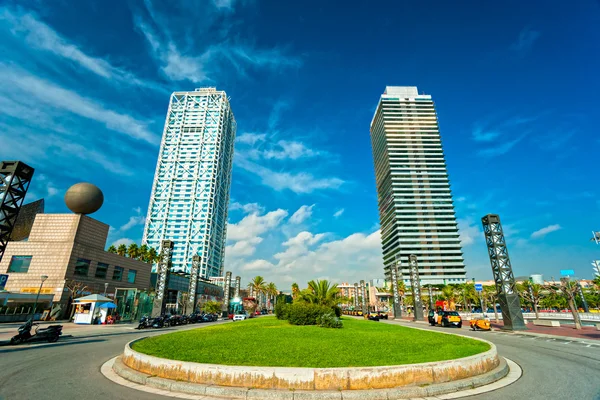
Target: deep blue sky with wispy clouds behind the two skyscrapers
[85,88]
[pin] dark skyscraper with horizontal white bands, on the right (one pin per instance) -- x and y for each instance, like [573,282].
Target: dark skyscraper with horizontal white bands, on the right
[415,203]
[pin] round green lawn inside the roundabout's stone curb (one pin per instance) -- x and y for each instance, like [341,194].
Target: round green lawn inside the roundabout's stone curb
[266,341]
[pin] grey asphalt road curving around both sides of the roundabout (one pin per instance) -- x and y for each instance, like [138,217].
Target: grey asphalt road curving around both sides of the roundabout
[70,369]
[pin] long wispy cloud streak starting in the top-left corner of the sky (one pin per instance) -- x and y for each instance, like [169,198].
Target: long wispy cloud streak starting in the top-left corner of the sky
[40,36]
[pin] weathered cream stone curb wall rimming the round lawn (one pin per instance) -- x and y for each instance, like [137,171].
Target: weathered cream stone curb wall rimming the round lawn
[358,378]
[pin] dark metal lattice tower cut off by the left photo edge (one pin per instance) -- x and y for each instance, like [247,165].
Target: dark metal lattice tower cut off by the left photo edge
[15,177]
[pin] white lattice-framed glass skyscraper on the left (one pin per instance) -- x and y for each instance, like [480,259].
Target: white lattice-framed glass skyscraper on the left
[190,193]
